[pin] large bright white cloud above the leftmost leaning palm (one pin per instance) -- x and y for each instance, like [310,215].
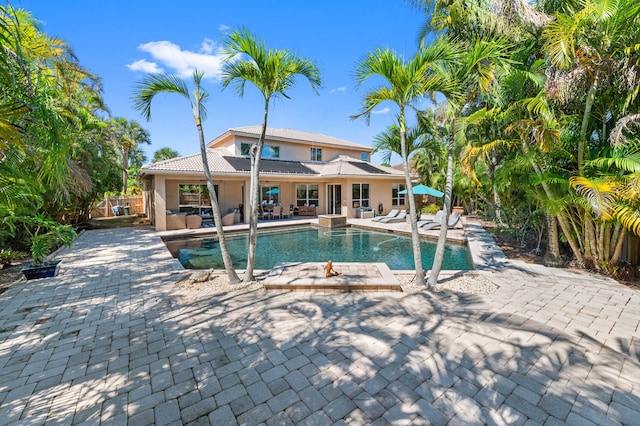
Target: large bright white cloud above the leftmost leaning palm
[182,62]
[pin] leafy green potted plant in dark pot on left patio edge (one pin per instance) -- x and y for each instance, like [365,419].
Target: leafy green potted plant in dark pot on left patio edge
[45,235]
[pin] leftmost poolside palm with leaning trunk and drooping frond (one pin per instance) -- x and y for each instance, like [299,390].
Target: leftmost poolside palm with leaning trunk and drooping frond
[155,84]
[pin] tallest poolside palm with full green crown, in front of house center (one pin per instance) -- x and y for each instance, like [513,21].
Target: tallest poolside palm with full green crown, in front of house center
[273,73]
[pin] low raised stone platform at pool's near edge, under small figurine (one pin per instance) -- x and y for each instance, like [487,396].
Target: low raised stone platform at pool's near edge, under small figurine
[310,276]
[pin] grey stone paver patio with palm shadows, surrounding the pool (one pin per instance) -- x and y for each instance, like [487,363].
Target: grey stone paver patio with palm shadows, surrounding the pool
[111,340]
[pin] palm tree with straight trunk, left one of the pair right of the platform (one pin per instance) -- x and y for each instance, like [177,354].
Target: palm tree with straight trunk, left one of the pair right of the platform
[405,84]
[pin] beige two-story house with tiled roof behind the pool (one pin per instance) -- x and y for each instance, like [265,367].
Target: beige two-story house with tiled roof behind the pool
[333,176]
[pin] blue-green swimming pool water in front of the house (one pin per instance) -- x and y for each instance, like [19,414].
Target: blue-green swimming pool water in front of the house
[311,244]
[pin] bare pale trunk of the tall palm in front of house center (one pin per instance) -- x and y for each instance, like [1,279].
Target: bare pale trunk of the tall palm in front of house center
[254,198]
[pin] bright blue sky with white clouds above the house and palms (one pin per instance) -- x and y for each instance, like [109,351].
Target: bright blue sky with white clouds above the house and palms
[123,40]
